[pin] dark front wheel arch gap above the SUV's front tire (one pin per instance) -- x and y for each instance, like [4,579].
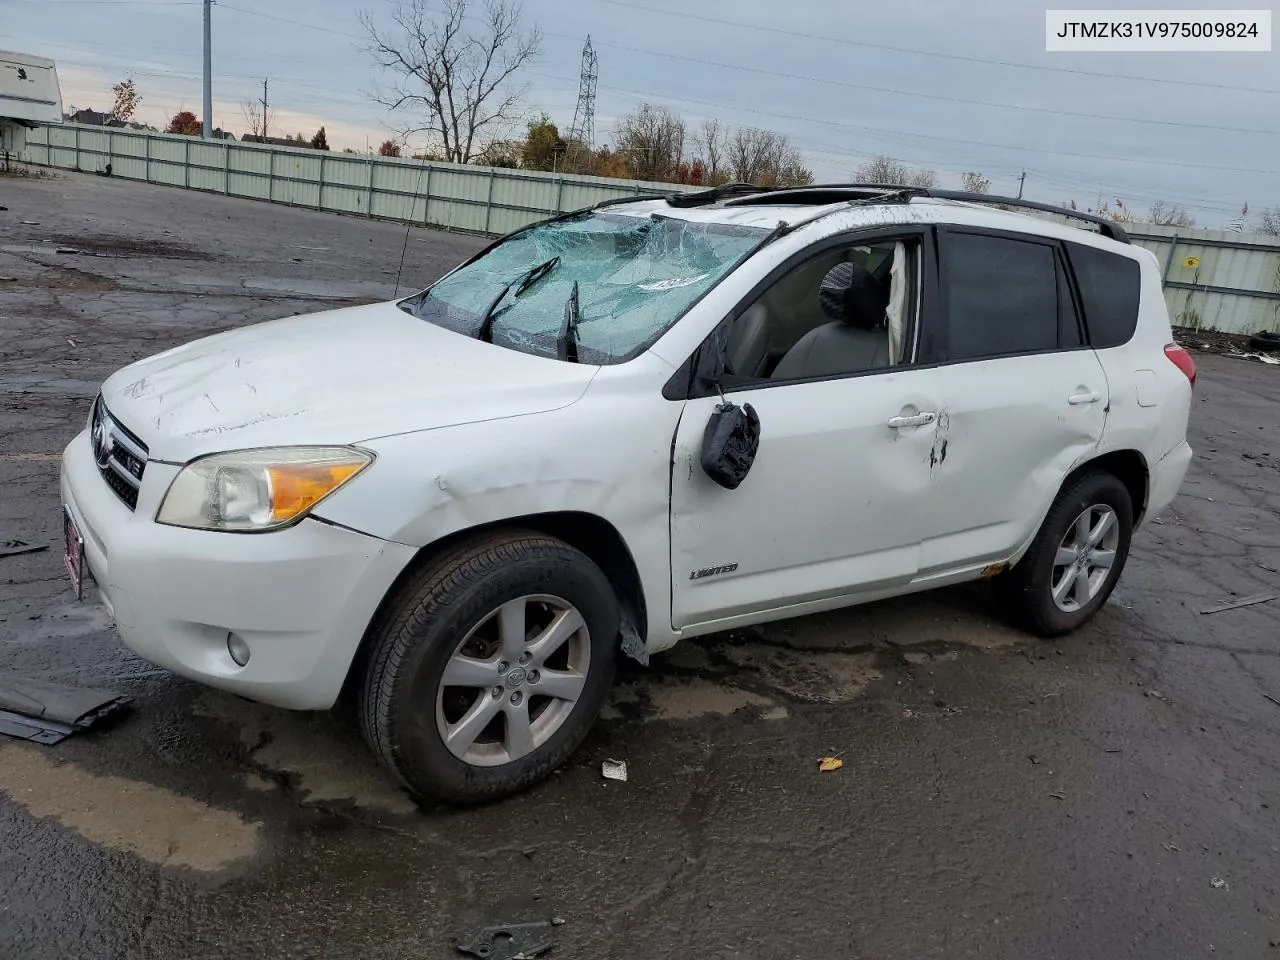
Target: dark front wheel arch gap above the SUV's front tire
[589,533]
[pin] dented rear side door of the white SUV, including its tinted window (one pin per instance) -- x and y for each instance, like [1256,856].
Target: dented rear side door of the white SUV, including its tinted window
[1025,397]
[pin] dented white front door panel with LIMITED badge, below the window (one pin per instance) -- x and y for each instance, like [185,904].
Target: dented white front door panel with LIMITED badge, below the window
[829,509]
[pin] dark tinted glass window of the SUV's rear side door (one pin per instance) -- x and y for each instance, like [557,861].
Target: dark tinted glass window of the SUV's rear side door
[1003,296]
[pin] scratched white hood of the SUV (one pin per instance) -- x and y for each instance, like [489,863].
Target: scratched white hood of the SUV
[335,377]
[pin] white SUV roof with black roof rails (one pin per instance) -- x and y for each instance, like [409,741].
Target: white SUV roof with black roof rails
[862,205]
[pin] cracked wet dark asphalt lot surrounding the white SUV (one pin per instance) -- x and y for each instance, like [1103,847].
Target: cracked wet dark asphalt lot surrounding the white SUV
[1114,794]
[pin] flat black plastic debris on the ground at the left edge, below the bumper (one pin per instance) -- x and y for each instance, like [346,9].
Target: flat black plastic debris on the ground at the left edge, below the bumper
[48,714]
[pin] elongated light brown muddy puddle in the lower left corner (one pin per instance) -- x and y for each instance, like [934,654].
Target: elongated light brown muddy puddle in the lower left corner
[159,826]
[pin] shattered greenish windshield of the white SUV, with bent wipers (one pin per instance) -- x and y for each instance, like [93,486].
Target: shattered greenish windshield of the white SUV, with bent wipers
[636,277]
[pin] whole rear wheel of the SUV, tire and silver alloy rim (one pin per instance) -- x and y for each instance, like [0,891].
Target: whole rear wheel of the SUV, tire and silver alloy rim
[1076,559]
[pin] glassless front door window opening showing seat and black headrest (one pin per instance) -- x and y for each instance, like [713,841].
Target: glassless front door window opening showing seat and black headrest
[845,312]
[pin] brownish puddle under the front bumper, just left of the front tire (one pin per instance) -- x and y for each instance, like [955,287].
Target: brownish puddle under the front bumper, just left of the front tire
[330,765]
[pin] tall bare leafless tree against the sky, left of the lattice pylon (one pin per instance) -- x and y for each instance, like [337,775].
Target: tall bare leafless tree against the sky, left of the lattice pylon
[460,77]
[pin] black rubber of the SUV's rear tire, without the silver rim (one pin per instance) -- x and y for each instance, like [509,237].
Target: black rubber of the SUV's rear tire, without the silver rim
[1027,589]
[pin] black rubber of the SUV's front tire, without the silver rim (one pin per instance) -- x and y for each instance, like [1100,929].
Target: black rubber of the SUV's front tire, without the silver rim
[420,630]
